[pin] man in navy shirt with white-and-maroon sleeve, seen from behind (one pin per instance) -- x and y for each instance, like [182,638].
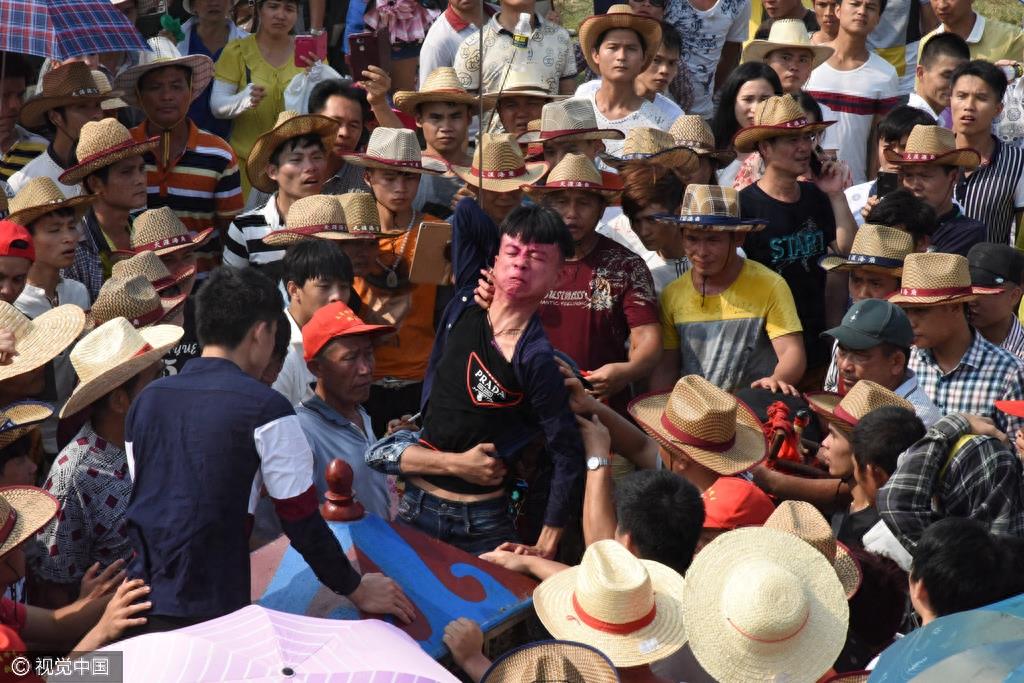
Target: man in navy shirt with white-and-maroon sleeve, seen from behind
[202,445]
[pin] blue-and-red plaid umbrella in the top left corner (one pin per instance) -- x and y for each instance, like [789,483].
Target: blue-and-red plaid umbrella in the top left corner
[66,29]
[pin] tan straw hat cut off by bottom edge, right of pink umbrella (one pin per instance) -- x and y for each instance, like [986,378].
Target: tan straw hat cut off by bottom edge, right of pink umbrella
[552,661]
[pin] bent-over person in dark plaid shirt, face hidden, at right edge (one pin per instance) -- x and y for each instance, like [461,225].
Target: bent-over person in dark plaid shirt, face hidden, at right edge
[952,474]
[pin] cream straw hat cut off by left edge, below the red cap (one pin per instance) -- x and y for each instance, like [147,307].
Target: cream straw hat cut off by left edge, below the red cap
[39,340]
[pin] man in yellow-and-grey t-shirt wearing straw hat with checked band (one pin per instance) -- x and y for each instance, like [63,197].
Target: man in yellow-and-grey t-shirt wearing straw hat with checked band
[730,320]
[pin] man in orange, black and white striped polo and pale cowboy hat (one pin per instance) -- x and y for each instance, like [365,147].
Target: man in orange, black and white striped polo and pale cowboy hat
[192,172]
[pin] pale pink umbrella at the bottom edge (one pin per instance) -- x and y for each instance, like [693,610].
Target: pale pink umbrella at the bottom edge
[260,645]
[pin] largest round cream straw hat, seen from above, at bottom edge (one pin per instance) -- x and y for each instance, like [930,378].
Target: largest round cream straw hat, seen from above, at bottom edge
[761,605]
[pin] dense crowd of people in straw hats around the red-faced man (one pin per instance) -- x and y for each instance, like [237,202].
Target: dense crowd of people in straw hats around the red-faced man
[724,291]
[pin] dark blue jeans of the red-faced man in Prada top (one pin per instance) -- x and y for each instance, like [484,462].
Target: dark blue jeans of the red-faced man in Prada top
[475,528]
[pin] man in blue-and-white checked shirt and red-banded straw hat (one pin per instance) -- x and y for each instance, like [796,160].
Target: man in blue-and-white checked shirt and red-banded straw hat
[957,367]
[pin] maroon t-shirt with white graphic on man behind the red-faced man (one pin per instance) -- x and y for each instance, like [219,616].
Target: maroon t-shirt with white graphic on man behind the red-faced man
[602,297]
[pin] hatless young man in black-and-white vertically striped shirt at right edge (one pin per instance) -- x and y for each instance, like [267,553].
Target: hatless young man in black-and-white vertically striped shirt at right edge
[994,193]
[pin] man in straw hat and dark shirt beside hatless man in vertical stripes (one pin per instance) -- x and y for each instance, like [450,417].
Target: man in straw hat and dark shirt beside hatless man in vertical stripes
[930,166]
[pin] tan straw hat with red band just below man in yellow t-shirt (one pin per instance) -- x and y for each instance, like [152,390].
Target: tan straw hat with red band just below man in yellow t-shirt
[701,420]
